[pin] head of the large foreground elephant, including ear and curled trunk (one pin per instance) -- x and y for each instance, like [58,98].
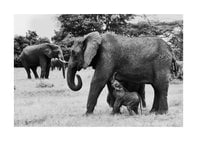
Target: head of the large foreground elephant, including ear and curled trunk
[83,51]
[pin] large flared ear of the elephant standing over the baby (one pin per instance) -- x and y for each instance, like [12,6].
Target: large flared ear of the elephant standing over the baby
[92,42]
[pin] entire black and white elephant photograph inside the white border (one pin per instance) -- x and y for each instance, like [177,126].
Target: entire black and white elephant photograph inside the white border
[98,70]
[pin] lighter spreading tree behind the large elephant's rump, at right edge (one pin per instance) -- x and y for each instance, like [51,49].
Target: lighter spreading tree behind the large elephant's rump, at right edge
[171,32]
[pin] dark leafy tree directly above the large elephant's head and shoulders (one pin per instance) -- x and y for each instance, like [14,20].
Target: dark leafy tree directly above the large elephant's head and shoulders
[81,24]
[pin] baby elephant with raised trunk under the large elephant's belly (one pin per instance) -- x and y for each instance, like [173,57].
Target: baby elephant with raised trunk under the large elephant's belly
[129,99]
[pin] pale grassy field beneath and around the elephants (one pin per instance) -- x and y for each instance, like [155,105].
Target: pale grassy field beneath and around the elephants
[51,103]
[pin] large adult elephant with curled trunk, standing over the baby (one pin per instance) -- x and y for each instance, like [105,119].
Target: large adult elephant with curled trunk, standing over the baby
[140,60]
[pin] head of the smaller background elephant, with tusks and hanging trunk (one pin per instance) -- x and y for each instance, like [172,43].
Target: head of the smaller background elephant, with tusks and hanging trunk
[54,51]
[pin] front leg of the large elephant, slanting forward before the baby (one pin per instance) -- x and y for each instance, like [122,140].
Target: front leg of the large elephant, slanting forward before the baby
[98,82]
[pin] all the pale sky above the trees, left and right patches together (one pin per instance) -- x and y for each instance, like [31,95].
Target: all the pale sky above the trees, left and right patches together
[44,25]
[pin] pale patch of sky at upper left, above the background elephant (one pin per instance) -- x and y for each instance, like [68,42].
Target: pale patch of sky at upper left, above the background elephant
[44,25]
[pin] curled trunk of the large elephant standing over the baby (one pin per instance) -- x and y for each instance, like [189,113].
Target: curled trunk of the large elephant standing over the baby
[71,78]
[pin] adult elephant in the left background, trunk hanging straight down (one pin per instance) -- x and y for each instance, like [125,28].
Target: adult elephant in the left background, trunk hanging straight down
[40,55]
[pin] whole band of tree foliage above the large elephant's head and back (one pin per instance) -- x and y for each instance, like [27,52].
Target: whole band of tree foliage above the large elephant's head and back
[72,26]
